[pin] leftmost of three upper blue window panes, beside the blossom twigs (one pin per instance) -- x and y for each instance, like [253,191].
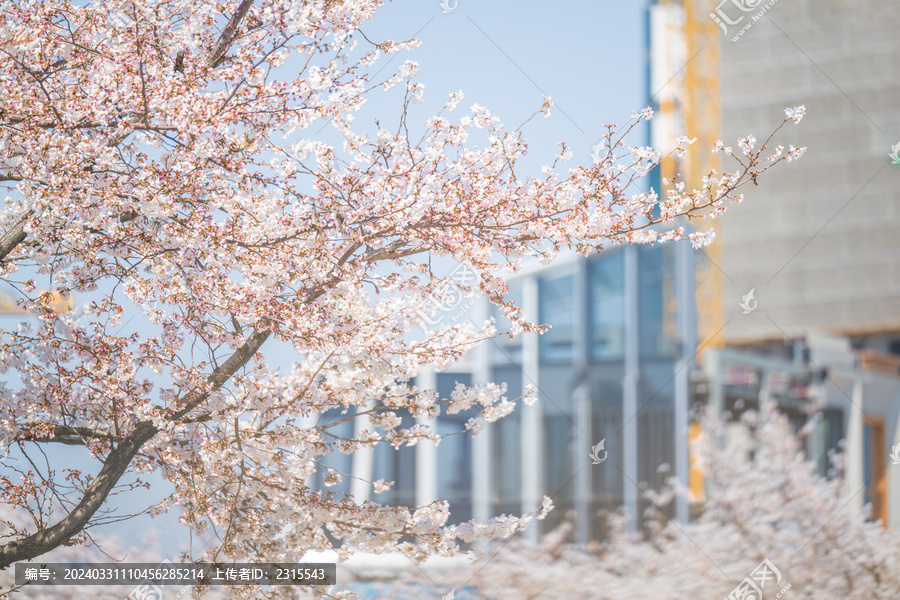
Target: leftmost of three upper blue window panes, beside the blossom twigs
[556,306]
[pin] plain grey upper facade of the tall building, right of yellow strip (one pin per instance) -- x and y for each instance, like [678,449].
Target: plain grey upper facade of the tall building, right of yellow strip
[818,240]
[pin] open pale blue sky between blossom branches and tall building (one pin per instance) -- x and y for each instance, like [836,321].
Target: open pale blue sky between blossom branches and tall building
[588,56]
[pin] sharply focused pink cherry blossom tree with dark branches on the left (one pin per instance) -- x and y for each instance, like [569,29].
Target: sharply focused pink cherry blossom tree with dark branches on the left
[162,155]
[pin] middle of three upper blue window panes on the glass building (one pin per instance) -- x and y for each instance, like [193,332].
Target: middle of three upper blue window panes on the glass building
[607,305]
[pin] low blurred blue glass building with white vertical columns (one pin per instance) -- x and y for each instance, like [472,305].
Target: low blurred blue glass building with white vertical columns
[615,367]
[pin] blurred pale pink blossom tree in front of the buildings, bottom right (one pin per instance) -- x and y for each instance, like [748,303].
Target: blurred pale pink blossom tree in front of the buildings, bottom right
[765,501]
